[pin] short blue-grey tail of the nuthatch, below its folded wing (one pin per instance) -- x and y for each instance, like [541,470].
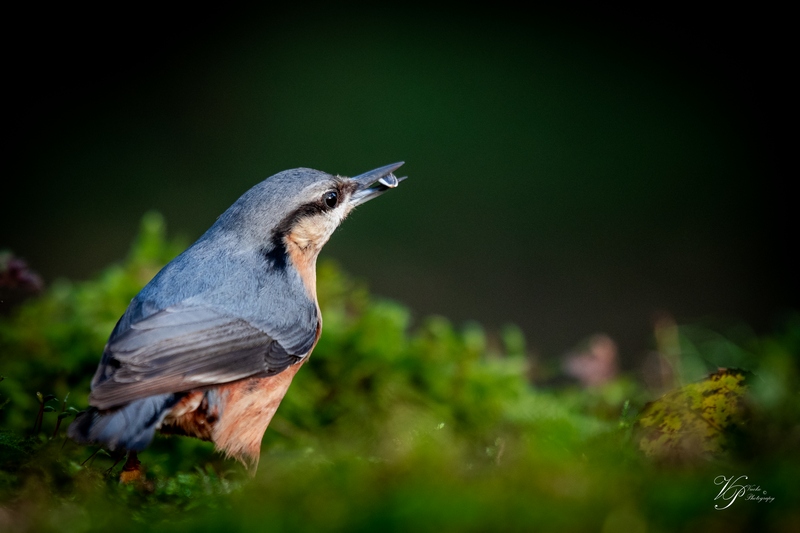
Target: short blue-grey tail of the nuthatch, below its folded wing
[128,427]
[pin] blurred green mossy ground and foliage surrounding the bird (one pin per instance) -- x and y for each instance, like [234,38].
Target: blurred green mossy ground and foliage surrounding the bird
[398,423]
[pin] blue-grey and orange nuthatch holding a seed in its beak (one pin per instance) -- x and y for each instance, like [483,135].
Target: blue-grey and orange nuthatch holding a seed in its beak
[209,347]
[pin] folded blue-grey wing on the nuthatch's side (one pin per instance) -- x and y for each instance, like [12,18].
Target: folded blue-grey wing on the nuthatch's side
[181,348]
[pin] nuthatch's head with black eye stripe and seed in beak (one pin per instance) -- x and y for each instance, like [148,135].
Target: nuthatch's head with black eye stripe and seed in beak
[293,214]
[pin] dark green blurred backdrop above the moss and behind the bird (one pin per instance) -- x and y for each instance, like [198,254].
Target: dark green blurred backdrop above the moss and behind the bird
[572,173]
